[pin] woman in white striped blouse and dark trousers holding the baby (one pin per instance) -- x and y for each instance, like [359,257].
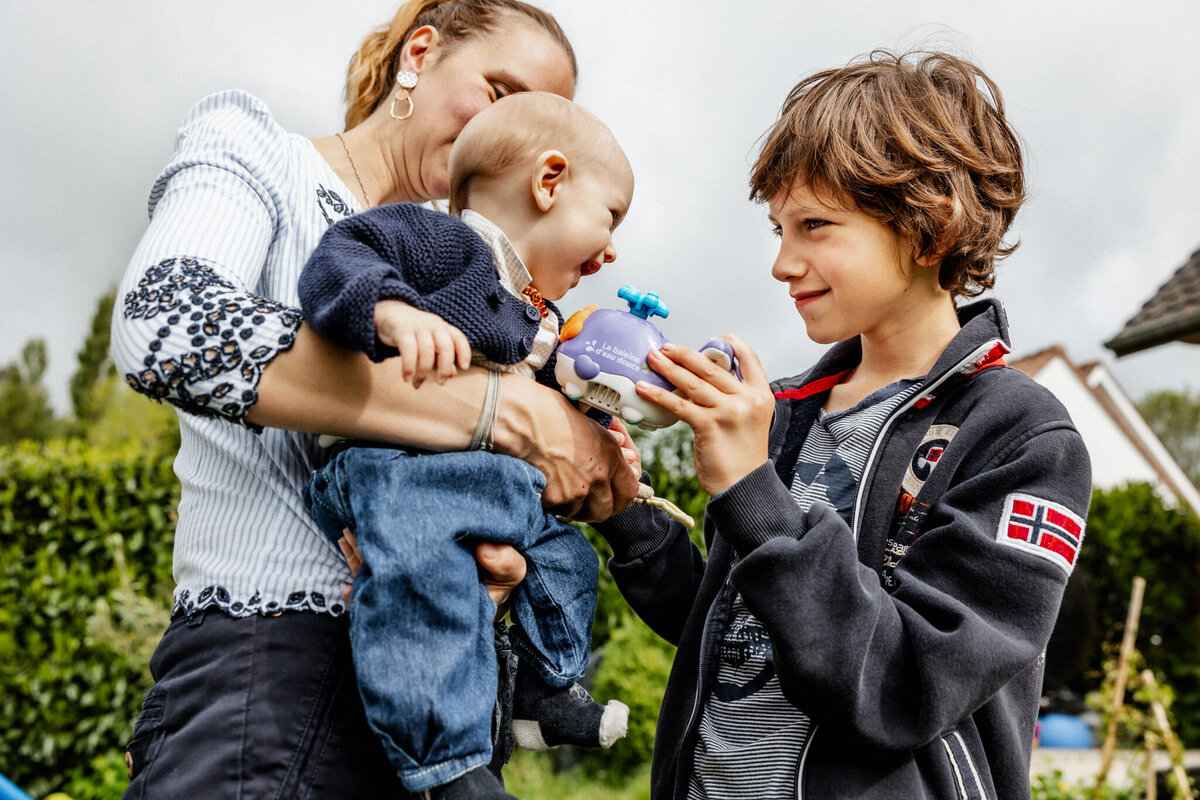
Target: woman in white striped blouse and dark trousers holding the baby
[251,701]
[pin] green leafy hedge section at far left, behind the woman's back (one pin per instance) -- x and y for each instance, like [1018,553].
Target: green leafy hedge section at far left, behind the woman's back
[86,540]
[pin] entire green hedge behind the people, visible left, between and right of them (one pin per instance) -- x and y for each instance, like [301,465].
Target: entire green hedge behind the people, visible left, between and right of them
[87,533]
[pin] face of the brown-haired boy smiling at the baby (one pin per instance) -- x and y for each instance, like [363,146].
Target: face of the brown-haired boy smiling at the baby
[847,273]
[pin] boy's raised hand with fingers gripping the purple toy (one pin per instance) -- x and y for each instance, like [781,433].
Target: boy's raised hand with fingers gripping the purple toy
[730,418]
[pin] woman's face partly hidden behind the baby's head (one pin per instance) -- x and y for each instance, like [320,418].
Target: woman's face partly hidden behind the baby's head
[458,83]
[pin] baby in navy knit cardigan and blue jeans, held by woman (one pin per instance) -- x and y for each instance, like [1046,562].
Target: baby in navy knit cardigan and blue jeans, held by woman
[541,185]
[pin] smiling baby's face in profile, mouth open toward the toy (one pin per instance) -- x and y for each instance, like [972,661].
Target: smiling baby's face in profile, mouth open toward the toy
[574,237]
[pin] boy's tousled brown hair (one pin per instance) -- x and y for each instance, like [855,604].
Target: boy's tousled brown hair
[919,142]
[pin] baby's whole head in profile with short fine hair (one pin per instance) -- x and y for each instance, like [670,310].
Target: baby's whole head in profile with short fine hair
[551,177]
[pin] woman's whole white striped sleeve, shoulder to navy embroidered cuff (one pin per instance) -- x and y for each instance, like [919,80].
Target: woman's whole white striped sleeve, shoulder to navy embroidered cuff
[193,326]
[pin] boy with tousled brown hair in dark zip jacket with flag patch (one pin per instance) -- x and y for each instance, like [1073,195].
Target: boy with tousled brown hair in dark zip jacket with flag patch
[890,533]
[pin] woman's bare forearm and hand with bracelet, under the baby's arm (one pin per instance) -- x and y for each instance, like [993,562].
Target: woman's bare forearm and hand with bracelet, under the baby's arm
[320,388]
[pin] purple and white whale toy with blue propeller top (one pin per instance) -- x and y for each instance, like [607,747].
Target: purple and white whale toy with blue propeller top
[603,356]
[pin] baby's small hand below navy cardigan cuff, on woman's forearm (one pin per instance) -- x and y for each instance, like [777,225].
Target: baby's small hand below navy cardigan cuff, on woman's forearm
[427,342]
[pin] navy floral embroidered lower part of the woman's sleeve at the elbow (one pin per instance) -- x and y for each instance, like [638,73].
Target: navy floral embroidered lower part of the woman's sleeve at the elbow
[211,340]
